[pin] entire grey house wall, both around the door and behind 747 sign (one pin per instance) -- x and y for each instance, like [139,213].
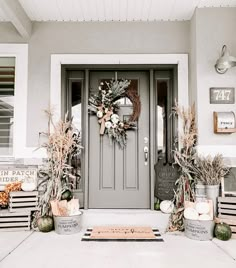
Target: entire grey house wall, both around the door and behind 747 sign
[202,38]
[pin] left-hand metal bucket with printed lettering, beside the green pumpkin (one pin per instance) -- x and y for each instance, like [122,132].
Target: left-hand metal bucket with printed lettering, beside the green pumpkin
[68,224]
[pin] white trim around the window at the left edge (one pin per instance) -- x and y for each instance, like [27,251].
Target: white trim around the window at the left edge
[20,52]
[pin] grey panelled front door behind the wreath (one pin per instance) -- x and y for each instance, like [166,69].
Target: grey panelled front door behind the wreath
[120,178]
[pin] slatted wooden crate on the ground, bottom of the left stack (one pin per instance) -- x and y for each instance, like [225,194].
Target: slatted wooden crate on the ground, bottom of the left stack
[17,221]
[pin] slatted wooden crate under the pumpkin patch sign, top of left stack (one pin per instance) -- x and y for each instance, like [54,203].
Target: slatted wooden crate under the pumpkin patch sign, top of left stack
[23,201]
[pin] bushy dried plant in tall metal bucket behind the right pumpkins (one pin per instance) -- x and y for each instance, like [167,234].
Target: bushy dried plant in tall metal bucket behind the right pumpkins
[209,171]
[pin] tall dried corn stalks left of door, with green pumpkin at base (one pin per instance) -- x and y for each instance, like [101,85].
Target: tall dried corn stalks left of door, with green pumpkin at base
[62,142]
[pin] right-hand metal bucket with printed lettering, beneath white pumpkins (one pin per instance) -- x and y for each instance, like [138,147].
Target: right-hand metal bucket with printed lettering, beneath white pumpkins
[199,230]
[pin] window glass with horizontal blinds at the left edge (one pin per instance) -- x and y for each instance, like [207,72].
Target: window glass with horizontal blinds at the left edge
[7,84]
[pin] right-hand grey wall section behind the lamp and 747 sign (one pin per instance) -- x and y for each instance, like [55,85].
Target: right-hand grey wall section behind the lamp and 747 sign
[212,28]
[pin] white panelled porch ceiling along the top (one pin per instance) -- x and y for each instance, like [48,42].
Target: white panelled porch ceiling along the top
[114,10]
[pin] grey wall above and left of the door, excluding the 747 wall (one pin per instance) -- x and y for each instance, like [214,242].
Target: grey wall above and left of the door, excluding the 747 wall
[110,37]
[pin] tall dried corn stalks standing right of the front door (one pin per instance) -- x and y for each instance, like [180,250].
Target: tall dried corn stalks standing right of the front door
[184,158]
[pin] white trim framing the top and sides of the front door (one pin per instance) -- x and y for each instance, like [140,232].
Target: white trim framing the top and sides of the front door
[58,59]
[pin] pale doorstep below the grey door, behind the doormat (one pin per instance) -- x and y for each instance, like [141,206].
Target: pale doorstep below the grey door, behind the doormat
[125,217]
